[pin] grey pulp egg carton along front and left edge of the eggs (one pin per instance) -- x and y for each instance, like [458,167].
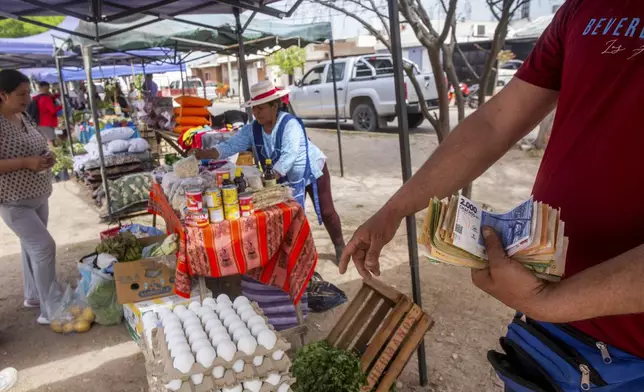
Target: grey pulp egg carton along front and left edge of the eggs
[231,378]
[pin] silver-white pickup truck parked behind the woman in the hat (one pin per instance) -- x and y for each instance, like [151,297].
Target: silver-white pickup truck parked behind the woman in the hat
[366,92]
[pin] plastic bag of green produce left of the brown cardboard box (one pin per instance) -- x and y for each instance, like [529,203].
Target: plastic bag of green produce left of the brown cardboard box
[101,296]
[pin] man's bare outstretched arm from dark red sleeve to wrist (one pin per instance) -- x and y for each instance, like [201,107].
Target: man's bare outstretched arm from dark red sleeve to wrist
[474,145]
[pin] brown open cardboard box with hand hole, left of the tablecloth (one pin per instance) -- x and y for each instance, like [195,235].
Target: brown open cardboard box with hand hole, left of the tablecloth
[144,279]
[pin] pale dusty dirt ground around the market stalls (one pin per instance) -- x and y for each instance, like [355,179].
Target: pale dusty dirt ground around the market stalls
[468,322]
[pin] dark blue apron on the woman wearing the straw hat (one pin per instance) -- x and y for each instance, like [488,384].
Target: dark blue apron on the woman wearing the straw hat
[298,185]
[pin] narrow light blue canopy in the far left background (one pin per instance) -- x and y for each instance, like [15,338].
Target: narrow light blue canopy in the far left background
[51,75]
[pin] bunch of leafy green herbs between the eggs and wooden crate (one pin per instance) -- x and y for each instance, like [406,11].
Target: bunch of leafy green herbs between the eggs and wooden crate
[319,367]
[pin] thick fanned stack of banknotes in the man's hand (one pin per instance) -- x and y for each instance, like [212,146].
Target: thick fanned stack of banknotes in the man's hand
[531,233]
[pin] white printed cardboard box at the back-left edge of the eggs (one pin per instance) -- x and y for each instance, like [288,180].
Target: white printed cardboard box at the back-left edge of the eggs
[134,312]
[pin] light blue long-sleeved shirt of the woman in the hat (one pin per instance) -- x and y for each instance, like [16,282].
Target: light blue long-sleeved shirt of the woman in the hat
[292,162]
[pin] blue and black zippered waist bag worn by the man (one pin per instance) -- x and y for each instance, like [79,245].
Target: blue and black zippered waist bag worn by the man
[547,357]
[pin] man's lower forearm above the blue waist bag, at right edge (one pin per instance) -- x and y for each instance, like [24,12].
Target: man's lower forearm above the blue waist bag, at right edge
[610,288]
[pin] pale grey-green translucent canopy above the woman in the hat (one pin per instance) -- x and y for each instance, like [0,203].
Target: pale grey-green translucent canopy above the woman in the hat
[214,33]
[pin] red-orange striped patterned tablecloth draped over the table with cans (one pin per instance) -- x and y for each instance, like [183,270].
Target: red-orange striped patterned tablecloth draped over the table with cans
[274,246]
